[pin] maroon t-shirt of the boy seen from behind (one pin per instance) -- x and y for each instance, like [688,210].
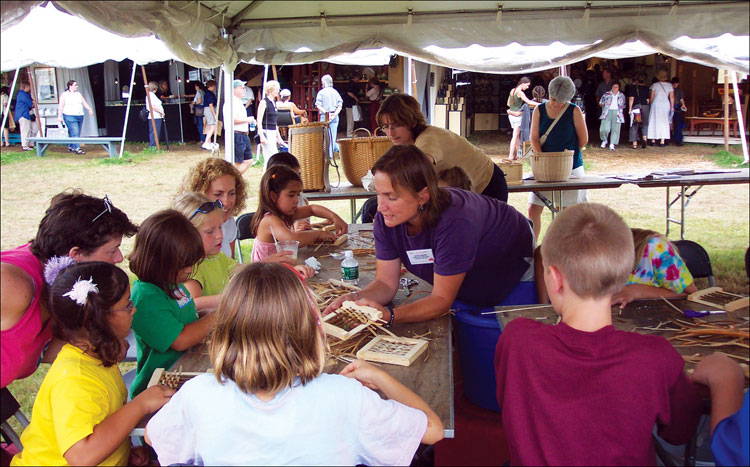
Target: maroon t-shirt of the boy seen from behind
[571,397]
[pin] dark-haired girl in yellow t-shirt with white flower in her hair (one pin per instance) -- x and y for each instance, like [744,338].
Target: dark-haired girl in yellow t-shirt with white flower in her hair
[80,414]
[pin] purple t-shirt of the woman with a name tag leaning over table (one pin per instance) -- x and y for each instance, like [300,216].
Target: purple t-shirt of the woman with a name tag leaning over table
[481,236]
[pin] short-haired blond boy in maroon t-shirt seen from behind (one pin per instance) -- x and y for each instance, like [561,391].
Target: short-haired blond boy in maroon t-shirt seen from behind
[581,392]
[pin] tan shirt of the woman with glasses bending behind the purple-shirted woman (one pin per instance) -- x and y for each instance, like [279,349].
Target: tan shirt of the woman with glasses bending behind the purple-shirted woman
[451,150]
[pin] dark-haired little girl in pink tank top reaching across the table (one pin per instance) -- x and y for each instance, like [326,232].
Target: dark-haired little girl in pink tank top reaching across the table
[278,208]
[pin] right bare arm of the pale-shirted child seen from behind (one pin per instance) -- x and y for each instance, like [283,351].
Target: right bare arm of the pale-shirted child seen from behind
[377,379]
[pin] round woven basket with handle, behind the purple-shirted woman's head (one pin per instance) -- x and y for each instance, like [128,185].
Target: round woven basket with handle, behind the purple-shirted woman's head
[359,154]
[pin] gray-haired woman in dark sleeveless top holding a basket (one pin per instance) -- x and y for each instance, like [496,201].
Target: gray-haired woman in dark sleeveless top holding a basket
[569,132]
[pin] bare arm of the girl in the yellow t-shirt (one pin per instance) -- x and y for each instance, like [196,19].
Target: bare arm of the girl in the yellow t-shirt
[110,433]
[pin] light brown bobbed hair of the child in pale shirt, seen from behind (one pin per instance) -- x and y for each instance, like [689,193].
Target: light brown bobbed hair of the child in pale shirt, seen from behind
[267,331]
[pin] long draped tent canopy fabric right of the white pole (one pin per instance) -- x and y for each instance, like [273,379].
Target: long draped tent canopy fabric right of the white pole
[595,33]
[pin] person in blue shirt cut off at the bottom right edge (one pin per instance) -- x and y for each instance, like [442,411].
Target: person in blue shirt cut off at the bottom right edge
[730,411]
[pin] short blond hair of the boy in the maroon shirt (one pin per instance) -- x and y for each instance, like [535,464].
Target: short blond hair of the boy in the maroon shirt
[593,247]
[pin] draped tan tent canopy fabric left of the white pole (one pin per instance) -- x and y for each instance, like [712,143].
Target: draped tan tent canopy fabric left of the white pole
[194,41]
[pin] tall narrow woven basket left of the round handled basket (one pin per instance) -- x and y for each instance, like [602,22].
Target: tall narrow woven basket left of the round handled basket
[309,144]
